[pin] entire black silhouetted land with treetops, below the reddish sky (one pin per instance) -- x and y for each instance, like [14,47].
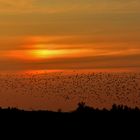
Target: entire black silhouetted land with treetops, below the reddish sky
[84,120]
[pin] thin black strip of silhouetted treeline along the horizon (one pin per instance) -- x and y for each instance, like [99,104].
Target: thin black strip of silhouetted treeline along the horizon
[82,108]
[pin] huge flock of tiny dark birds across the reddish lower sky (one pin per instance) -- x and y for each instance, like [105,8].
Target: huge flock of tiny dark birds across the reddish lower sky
[99,89]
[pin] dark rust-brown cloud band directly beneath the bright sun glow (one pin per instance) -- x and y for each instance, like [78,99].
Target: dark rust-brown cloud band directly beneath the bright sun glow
[92,62]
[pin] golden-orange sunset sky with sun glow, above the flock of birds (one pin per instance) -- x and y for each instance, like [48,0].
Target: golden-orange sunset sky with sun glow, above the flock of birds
[69,34]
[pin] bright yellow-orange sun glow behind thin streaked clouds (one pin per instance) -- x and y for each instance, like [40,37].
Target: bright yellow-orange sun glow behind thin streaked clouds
[44,51]
